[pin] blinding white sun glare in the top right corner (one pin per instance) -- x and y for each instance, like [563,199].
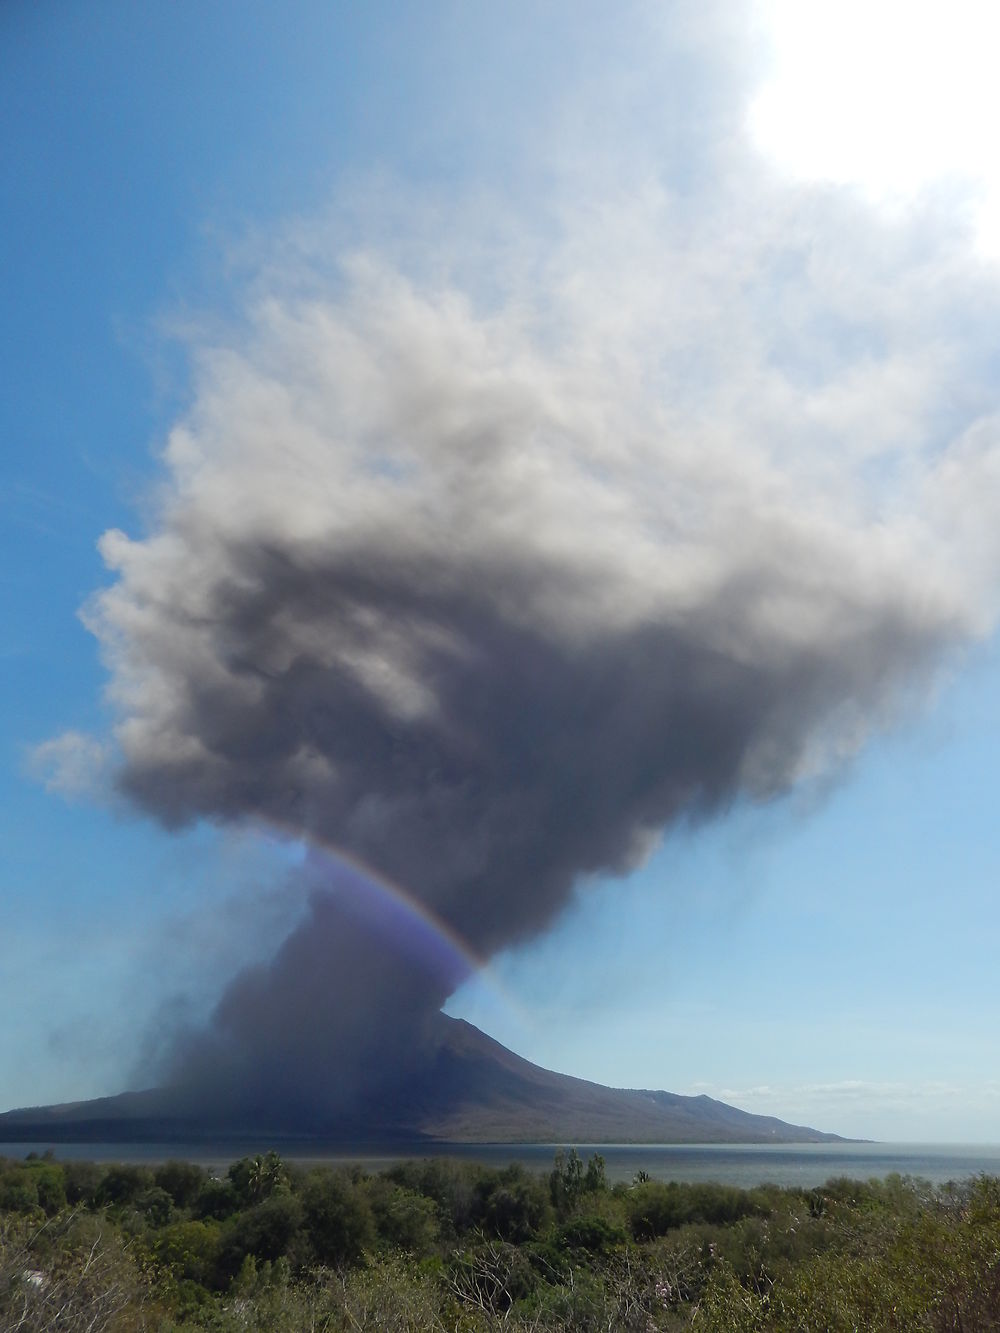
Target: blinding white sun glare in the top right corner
[890,97]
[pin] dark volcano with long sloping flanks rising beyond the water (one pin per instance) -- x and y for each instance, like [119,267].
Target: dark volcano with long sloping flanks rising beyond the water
[471,1090]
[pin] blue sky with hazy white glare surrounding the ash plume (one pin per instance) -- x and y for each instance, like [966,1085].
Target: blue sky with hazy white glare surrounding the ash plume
[826,955]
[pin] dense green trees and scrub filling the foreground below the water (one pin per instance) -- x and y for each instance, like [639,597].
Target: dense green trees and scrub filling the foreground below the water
[445,1246]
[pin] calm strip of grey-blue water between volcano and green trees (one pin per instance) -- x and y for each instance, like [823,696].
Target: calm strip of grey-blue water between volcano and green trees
[730,1164]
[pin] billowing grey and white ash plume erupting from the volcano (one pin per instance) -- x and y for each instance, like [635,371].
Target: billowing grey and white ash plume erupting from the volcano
[489,606]
